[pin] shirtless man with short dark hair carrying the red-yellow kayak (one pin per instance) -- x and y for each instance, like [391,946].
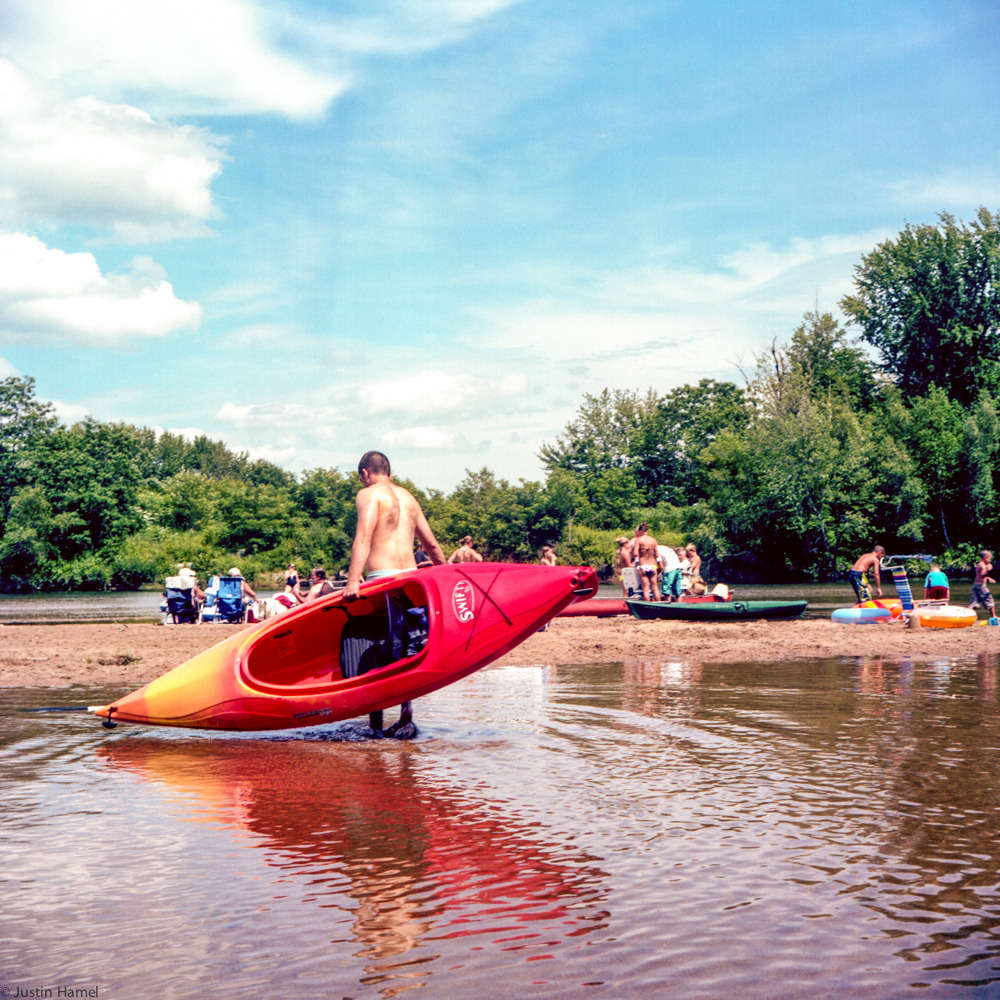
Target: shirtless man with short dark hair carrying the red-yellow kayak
[389,518]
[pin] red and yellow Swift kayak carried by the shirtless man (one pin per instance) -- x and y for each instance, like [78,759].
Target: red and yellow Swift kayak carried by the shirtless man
[332,659]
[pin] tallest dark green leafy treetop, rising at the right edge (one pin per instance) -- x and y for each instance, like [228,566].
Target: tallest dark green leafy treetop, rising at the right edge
[929,303]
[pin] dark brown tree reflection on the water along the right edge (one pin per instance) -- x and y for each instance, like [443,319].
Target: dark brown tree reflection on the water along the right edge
[936,741]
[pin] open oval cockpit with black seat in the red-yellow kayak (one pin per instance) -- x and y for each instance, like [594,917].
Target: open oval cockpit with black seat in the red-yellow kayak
[343,644]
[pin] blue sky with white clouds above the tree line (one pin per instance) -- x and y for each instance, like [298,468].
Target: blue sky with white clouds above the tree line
[430,227]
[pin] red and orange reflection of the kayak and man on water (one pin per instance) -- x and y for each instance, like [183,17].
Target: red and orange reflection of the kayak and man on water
[424,862]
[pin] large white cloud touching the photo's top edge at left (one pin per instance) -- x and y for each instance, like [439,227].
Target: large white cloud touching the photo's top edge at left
[178,57]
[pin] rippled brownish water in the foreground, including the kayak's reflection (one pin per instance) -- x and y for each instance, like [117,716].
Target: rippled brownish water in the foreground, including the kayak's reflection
[648,829]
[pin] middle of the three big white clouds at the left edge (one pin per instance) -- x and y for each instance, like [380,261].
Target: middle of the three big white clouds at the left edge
[112,166]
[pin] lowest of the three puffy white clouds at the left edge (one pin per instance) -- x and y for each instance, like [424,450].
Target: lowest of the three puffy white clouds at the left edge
[47,294]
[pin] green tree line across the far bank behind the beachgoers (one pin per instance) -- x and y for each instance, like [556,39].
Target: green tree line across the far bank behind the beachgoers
[831,443]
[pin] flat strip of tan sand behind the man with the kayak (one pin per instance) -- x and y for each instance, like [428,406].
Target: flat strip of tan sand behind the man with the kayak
[60,656]
